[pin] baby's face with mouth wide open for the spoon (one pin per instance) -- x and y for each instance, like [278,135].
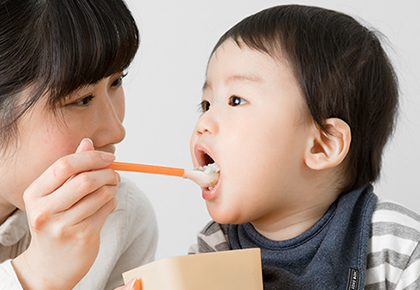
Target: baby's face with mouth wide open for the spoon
[254,128]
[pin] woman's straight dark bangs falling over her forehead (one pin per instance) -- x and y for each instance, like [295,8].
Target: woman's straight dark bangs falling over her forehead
[88,44]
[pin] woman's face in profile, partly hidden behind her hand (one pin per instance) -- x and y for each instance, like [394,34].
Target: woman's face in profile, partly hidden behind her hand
[95,111]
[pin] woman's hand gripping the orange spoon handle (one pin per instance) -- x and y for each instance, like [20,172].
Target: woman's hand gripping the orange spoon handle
[67,207]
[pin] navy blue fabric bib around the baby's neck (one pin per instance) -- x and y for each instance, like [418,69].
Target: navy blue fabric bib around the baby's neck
[330,255]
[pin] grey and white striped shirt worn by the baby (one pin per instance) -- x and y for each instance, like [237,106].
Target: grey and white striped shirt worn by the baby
[393,259]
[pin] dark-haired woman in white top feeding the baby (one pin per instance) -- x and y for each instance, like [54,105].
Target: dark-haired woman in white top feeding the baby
[66,221]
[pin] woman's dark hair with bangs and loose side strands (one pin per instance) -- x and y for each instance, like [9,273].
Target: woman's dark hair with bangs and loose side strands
[55,47]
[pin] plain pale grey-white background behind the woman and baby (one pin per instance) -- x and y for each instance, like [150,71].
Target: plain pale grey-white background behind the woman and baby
[163,90]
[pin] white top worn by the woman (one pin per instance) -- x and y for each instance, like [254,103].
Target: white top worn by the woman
[128,240]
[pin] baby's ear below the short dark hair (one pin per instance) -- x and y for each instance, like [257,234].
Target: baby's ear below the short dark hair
[328,149]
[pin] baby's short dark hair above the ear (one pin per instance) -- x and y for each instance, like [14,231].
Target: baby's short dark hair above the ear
[343,72]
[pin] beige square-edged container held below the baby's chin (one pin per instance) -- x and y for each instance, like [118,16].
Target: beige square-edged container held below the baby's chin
[230,270]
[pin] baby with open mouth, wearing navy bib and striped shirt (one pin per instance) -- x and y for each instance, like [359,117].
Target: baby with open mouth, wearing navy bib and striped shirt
[298,104]
